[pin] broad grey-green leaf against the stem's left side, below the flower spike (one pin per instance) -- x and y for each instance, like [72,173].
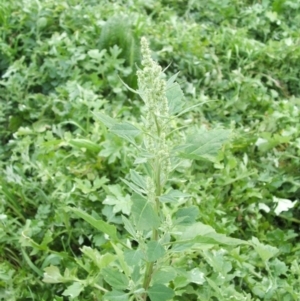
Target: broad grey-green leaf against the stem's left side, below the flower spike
[143,214]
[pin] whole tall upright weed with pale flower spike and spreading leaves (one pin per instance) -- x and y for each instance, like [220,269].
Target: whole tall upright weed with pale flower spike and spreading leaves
[163,229]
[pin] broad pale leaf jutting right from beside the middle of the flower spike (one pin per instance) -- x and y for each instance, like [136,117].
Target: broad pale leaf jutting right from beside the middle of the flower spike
[204,144]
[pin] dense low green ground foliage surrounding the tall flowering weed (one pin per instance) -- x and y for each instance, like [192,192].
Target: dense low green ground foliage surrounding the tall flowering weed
[62,60]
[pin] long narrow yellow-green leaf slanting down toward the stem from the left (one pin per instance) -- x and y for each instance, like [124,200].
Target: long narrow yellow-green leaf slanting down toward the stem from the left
[98,224]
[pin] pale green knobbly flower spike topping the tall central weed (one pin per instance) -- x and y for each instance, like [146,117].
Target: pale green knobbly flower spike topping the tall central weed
[152,89]
